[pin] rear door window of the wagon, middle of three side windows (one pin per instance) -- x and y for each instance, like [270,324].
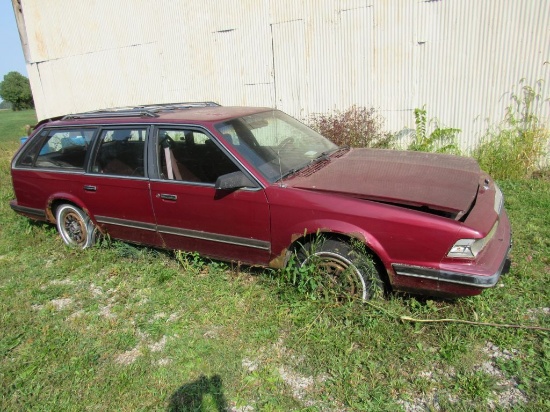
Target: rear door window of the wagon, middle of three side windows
[121,152]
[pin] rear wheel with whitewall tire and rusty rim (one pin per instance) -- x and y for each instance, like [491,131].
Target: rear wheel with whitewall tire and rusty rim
[75,226]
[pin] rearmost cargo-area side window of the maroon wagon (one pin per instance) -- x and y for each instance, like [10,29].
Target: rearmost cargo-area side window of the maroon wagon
[65,149]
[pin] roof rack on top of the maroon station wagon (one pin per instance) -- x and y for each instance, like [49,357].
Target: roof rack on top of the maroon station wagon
[138,111]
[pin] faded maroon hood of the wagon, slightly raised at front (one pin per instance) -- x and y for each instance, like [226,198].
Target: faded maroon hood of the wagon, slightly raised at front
[436,181]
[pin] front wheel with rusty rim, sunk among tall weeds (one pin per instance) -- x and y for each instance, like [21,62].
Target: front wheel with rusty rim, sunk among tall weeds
[343,271]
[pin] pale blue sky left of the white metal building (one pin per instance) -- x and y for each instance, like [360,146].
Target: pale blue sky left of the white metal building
[11,53]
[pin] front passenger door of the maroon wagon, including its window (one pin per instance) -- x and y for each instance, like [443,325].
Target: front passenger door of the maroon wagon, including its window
[191,214]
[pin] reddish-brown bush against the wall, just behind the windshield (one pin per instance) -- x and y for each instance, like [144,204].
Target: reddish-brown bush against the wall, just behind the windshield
[354,127]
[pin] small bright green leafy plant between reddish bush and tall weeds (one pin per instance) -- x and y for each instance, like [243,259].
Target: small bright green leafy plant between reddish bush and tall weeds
[440,140]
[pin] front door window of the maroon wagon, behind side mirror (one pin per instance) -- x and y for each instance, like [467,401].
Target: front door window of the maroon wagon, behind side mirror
[191,156]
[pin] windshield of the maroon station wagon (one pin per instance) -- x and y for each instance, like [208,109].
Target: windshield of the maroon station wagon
[275,143]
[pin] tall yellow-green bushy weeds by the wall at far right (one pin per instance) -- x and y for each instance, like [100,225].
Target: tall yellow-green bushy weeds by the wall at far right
[515,148]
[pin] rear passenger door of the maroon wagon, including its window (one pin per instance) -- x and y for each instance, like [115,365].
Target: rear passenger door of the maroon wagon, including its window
[116,189]
